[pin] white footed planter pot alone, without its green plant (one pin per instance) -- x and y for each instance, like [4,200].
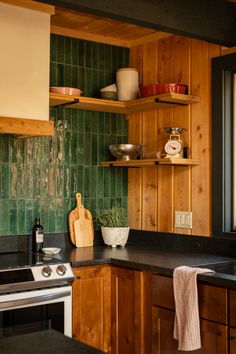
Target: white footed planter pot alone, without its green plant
[115,236]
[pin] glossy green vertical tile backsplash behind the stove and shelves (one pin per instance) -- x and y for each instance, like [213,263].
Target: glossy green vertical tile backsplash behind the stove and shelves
[40,176]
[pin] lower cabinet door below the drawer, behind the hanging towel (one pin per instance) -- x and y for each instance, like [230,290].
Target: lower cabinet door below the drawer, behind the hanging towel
[213,335]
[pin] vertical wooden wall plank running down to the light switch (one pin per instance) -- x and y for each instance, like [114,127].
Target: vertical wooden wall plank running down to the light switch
[182,118]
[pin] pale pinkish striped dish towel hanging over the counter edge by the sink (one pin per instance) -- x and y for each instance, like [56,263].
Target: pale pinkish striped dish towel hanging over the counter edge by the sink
[187,323]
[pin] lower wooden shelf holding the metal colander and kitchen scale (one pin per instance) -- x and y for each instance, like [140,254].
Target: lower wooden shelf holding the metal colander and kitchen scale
[150,162]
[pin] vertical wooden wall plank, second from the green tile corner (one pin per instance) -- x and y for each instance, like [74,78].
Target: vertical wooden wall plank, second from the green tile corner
[149,180]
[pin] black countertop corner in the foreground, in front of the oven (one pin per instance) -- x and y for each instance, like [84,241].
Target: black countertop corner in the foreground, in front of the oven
[44,342]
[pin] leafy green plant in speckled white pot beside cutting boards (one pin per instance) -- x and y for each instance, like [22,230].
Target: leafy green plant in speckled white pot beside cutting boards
[114,226]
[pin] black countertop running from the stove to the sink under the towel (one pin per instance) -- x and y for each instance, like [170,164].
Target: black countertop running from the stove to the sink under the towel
[141,257]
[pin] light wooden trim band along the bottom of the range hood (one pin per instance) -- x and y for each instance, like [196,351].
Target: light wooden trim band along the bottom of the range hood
[26,127]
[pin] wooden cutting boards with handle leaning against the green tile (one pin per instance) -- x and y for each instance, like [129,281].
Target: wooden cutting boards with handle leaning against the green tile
[81,225]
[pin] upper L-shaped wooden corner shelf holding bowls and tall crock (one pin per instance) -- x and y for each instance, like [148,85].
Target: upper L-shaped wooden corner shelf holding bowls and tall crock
[166,100]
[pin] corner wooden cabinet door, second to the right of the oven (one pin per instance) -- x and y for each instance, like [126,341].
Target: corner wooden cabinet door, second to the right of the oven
[130,319]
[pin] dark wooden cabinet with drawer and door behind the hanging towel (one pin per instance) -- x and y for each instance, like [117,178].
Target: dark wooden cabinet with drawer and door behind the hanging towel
[213,314]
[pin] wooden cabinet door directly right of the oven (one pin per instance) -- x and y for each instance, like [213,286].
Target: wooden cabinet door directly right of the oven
[92,306]
